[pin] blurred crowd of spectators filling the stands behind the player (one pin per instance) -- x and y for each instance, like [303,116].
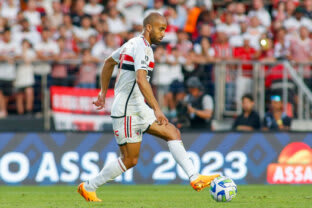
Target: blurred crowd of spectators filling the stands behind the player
[68,40]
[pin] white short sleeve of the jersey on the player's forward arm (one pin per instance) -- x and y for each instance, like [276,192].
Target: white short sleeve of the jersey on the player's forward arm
[140,57]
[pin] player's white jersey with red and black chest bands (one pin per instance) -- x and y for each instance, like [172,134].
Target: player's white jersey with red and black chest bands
[133,55]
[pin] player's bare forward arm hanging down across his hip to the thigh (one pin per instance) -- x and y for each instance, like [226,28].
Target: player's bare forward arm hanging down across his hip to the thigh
[147,92]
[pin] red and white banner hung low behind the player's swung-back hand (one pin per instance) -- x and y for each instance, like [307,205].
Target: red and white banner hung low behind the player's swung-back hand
[73,109]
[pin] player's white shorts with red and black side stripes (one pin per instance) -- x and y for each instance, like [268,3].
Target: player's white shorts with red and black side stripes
[130,129]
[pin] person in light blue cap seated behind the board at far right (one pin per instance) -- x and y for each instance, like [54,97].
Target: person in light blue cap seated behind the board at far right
[276,119]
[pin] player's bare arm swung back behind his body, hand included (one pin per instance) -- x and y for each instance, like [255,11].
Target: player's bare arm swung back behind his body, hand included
[106,75]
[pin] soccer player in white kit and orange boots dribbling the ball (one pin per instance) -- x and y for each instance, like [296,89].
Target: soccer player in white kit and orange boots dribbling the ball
[132,116]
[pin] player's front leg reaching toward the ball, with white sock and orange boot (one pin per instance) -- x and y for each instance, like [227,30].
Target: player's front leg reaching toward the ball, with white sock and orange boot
[173,137]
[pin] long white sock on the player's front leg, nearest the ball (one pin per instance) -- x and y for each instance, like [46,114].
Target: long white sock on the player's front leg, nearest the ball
[179,154]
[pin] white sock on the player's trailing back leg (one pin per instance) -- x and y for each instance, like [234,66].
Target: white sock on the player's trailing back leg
[109,172]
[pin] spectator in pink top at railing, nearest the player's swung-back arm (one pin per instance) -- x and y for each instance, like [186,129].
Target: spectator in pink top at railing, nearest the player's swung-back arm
[87,71]
